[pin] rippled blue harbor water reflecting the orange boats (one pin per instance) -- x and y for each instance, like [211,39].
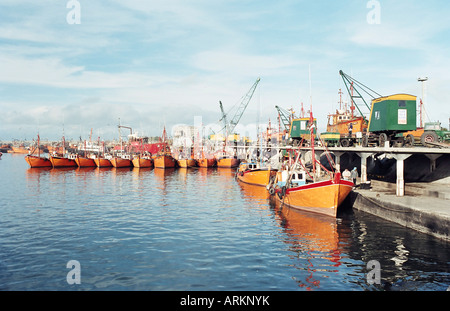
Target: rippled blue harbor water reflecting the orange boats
[194,230]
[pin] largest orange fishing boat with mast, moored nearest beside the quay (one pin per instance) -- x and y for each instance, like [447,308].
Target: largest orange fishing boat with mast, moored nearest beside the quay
[319,196]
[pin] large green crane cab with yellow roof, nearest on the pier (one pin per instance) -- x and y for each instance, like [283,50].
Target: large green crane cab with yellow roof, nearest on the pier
[395,113]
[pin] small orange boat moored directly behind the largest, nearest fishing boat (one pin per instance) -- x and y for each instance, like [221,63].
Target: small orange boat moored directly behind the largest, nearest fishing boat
[255,174]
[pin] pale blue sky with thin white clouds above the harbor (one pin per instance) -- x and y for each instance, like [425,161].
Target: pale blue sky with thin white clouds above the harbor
[67,69]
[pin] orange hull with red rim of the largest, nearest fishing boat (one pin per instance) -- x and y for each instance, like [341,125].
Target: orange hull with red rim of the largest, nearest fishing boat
[321,197]
